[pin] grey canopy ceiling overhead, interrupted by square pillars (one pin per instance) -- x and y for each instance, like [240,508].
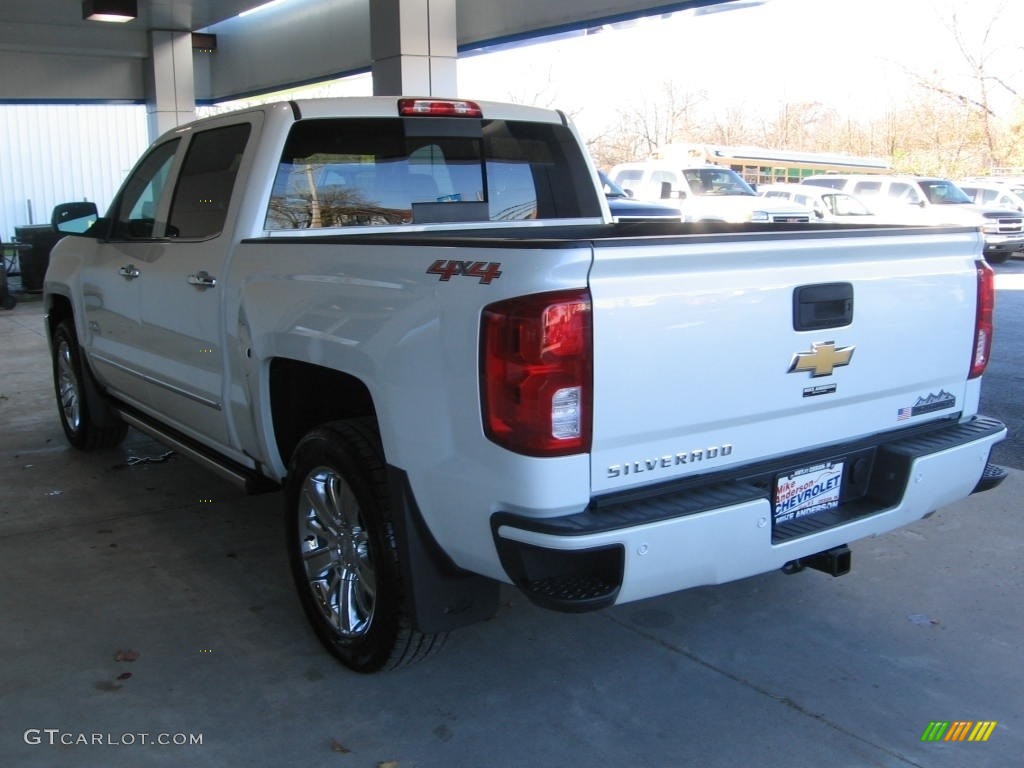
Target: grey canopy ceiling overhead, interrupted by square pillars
[50,54]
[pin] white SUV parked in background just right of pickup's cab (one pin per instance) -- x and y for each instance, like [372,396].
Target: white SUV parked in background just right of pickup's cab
[710,193]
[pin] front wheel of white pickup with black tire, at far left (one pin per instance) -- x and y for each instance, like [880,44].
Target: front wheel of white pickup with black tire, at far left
[71,379]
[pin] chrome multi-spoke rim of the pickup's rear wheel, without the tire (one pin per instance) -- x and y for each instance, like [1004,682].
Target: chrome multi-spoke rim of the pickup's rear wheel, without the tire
[335,553]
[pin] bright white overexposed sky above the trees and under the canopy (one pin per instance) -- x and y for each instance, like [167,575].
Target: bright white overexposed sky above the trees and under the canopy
[856,56]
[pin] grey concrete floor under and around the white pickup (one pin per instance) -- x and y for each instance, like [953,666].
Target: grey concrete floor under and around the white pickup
[103,563]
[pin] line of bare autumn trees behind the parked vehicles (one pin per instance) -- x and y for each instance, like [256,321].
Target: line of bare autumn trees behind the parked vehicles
[962,120]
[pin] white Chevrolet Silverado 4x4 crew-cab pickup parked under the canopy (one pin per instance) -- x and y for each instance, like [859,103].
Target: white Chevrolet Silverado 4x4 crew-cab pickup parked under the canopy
[418,319]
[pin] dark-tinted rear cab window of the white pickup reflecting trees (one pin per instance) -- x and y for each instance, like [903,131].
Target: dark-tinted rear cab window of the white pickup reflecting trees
[365,173]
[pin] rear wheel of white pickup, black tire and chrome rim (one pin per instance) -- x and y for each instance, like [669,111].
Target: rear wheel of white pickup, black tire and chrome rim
[344,549]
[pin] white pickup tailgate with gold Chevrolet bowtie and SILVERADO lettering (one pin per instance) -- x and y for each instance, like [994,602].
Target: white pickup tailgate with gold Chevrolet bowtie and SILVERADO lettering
[714,352]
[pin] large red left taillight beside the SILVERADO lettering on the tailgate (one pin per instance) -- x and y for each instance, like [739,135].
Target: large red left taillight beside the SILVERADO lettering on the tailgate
[536,373]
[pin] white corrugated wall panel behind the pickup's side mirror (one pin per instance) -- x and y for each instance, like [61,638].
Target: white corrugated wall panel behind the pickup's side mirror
[56,154]
